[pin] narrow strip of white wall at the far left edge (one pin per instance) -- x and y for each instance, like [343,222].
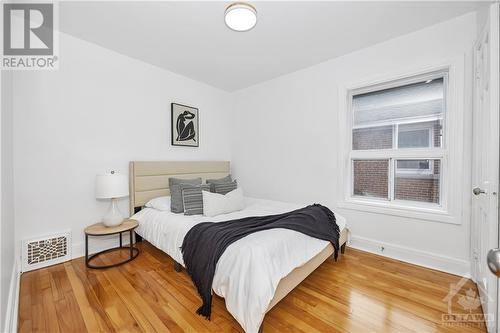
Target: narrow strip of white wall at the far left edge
[7,253]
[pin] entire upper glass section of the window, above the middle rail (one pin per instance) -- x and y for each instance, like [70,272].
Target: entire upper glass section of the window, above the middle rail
[417,109]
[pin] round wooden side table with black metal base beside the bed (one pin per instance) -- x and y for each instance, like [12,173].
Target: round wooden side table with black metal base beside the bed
[100,229]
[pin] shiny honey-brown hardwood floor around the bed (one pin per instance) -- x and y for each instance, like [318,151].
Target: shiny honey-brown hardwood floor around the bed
[361,292]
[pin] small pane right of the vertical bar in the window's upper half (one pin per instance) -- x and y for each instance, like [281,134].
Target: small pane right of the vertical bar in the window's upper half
[420,135]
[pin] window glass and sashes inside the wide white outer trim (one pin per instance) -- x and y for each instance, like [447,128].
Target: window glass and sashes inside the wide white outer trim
[397,140]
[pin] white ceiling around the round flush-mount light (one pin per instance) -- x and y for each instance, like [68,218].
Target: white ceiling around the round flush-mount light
[191,39]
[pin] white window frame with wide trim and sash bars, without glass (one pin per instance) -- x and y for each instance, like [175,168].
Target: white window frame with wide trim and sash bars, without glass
[450,207]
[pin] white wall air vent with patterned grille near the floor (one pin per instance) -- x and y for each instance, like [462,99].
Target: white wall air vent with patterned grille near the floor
[46,251]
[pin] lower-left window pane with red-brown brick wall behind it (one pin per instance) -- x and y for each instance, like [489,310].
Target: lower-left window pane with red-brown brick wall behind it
[371,178]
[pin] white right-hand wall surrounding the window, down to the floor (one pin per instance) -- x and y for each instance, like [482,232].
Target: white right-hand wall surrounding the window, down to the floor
[285,143]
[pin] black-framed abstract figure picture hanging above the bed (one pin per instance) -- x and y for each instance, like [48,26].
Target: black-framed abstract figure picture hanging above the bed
[190,135]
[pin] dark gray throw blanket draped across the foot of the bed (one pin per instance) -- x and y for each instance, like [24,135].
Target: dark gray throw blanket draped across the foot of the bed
[205,243]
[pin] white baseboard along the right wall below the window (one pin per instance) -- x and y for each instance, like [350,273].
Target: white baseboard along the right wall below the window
[413,256]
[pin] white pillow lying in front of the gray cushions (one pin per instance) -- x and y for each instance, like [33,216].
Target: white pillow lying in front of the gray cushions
[216,204]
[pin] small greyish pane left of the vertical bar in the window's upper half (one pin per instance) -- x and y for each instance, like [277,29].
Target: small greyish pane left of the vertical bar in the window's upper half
[372,138]
